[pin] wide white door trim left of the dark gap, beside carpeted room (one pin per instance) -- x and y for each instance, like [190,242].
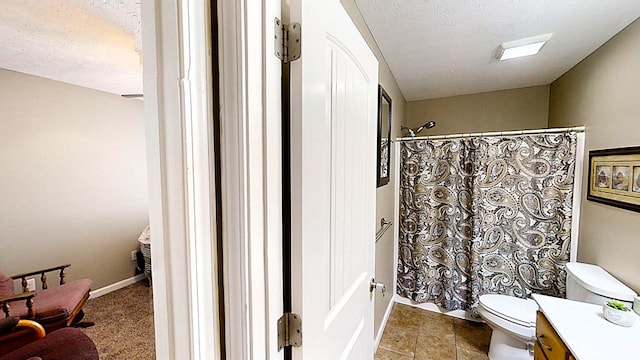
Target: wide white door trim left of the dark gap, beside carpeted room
[178,115]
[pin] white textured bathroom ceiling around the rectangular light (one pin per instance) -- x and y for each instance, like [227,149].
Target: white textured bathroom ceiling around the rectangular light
[440,48]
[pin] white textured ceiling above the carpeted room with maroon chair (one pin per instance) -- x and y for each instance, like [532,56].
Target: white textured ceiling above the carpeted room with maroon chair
[90,43]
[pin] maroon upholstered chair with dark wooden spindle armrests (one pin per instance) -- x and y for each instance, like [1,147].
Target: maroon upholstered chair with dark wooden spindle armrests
[53,307]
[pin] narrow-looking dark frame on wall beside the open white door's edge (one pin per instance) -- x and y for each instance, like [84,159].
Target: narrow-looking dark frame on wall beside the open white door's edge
[384,137]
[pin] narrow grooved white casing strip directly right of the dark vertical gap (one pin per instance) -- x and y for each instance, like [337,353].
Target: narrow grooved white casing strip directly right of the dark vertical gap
[232,75]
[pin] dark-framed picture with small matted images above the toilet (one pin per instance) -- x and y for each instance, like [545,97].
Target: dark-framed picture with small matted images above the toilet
[614,177]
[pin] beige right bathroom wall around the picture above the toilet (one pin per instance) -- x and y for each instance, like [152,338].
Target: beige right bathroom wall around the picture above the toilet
[603,93]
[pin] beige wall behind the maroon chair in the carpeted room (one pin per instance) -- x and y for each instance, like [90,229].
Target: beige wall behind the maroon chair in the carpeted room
[73,178]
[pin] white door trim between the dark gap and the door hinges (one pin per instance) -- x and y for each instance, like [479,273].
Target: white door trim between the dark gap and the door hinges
[251,177]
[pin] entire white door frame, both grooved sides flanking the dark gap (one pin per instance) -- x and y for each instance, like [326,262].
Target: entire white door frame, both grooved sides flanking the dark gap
[182,178]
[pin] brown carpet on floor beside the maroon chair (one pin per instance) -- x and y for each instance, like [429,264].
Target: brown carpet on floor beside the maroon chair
[123,323]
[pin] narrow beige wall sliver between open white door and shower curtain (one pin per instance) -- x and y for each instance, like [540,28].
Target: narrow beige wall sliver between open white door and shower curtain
[385,194]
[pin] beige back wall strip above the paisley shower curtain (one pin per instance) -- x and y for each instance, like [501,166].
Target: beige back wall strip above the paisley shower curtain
[515,109]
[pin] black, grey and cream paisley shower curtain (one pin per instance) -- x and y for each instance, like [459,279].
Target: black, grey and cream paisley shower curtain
[485,215]
